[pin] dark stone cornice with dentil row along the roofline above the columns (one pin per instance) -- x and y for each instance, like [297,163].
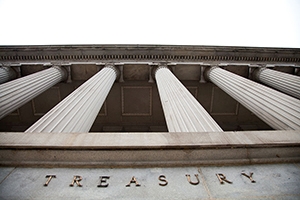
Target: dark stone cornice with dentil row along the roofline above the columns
[119,53]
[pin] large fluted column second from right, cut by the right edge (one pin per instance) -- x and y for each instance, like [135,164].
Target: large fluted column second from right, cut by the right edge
[279,110]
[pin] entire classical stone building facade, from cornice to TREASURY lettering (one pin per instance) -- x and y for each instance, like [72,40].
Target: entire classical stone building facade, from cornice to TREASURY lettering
[166,108]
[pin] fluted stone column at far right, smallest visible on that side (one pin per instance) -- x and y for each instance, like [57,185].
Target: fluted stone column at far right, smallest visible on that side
[287,83]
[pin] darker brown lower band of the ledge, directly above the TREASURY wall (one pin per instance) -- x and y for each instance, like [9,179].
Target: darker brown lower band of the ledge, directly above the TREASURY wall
[146,158]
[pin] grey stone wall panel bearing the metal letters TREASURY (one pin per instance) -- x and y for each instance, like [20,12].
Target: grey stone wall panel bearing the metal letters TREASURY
[274,181]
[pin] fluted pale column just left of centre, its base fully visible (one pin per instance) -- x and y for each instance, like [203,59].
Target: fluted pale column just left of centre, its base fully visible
[77,112]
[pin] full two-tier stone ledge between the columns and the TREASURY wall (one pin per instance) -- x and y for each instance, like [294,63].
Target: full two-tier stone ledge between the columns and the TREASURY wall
[148,149]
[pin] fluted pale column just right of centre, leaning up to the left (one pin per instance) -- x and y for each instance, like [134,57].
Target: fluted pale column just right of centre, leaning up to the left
[182,111]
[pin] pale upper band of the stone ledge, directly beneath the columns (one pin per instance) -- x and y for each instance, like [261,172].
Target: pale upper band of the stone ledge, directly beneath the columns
[150,140]
